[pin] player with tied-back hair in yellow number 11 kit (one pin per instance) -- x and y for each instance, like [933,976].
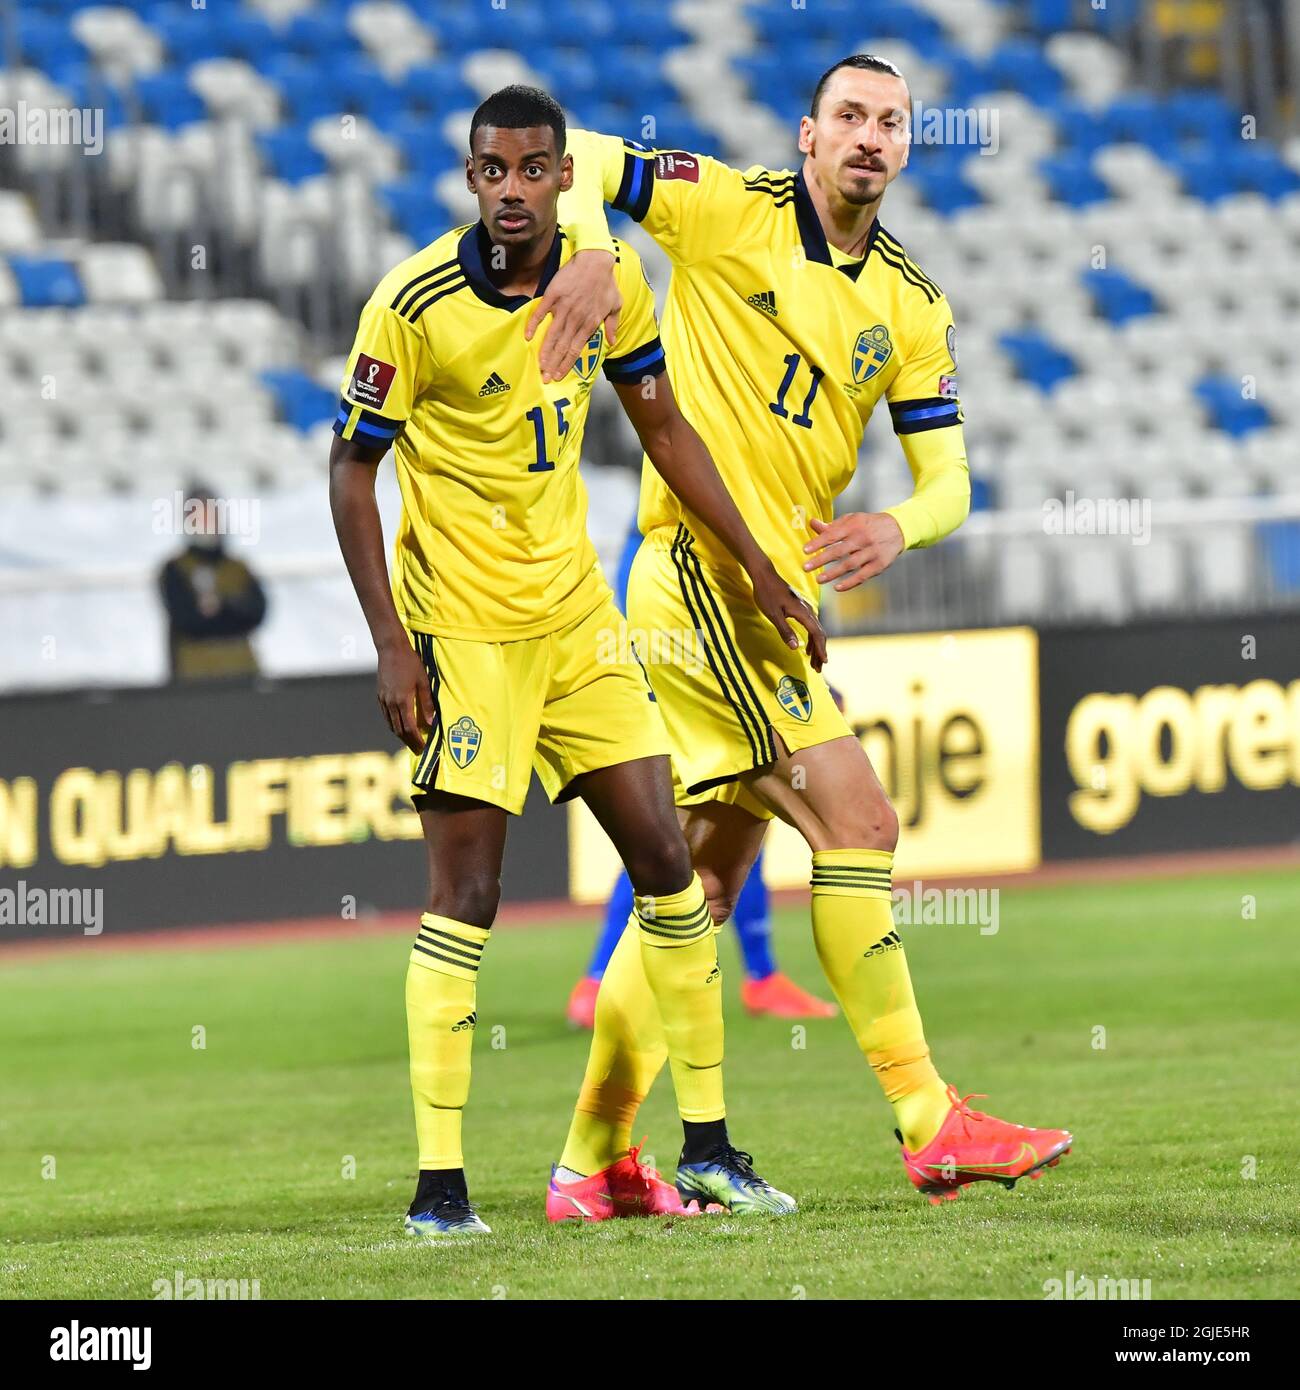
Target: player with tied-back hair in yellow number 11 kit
[792,313]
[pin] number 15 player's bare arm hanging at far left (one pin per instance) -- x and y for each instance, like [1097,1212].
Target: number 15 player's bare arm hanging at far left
[404,690]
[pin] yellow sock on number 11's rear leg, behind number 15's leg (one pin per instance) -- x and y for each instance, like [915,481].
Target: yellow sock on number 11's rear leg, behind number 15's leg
[628,1053]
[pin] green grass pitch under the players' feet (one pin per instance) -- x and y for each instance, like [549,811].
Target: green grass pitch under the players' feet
[233,1161]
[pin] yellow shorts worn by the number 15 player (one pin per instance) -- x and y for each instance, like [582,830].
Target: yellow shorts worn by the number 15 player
[565,704]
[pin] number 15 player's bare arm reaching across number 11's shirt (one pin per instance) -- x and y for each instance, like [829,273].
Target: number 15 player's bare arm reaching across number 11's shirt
[686,466]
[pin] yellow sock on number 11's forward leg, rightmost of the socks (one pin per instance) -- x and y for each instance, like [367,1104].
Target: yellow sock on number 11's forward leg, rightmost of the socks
[864,961]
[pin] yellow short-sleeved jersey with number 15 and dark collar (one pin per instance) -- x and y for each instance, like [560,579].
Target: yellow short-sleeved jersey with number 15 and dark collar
[493,541]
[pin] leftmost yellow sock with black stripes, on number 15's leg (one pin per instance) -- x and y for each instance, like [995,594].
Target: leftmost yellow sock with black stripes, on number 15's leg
[440,1025]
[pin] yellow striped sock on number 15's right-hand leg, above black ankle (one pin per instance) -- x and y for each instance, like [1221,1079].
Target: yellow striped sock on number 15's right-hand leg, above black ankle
[681,957]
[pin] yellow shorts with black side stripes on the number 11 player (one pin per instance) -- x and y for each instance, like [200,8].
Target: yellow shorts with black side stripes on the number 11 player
[726,682]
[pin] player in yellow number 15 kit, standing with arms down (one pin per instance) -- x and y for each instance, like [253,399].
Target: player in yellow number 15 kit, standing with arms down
[501,650]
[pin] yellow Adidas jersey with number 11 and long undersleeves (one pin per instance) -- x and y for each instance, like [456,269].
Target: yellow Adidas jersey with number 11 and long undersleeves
[781,347]
